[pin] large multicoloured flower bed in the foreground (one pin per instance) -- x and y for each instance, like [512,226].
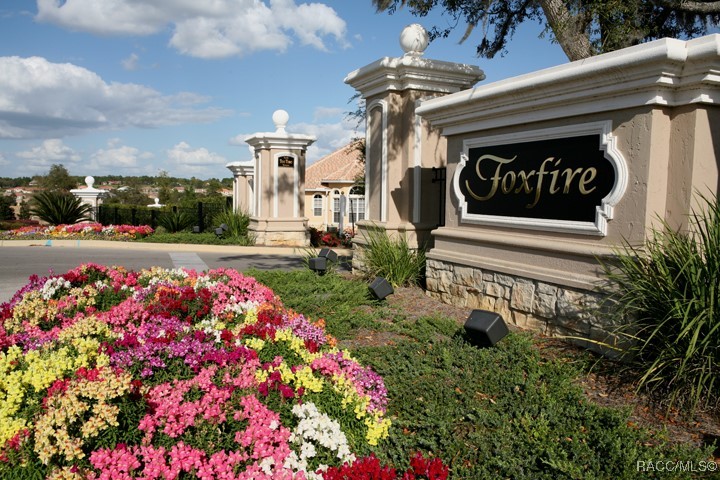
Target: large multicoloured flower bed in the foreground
[111,374]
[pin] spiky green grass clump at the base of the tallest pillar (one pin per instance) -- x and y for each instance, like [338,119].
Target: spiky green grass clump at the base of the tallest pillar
[392,258]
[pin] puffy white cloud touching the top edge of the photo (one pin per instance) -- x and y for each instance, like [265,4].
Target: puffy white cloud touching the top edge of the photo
[205,29]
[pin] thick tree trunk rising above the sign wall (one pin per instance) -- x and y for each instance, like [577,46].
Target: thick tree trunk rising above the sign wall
[569,30]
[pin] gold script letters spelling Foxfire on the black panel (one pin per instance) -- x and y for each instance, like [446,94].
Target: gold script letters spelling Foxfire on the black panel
[529,182]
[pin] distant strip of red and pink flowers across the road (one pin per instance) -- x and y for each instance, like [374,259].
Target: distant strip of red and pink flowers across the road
[80,230]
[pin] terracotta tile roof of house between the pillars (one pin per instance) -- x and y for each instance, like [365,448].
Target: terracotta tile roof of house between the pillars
[342,165]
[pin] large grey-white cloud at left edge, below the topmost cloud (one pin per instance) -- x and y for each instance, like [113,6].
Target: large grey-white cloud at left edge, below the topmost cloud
[40,99]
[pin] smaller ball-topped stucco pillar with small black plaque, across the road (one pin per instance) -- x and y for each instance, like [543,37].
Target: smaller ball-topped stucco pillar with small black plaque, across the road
[279,197]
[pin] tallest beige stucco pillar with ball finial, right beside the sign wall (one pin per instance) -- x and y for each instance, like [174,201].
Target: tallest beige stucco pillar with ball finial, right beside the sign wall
[403,153]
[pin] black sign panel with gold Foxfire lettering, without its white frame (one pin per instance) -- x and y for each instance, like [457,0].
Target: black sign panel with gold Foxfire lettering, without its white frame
[556,179]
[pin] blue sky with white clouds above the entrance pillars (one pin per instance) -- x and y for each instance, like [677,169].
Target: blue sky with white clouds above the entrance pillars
[132,87]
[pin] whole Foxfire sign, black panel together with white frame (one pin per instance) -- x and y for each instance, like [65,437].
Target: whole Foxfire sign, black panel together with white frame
[557,183]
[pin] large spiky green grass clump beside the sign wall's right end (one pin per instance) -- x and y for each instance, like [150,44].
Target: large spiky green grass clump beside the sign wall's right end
[670,292]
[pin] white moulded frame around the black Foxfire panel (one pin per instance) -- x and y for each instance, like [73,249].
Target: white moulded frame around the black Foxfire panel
[603,213]
